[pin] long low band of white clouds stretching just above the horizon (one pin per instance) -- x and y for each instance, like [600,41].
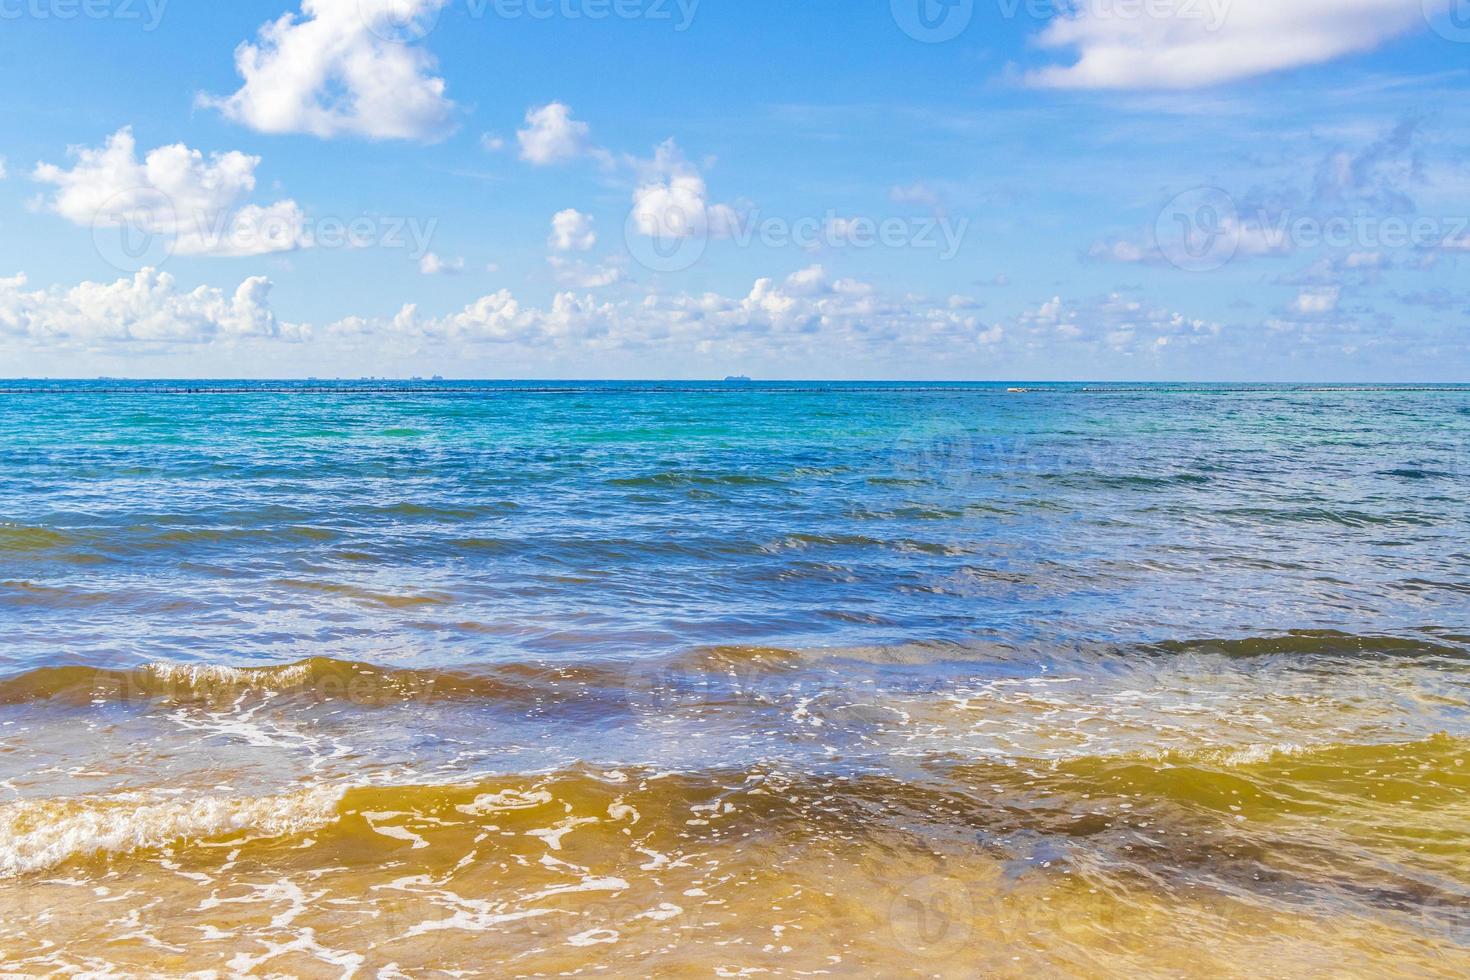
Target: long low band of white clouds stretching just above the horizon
[808,314]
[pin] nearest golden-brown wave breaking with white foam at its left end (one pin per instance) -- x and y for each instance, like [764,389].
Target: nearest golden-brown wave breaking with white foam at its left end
[1165,816]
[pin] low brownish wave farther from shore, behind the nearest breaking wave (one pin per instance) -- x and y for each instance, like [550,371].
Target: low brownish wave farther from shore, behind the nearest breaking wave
[918,668]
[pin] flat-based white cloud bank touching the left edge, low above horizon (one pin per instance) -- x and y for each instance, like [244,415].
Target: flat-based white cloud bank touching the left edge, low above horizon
[148,308]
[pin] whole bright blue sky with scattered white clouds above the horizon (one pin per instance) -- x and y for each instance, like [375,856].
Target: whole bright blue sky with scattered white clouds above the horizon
[1033,190]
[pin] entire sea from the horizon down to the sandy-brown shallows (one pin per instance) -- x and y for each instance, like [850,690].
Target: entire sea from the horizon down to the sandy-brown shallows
[845,681]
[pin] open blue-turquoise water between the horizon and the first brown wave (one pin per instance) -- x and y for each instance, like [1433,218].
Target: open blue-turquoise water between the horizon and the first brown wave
[456,524]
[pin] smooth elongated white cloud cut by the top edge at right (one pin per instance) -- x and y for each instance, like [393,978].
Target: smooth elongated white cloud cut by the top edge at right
[1193,43]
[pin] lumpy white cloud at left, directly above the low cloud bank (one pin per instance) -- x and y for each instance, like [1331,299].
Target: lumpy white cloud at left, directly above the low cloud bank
[177,193]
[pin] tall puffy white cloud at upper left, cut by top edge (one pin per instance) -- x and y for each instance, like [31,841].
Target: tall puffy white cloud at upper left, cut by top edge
[342,68]
